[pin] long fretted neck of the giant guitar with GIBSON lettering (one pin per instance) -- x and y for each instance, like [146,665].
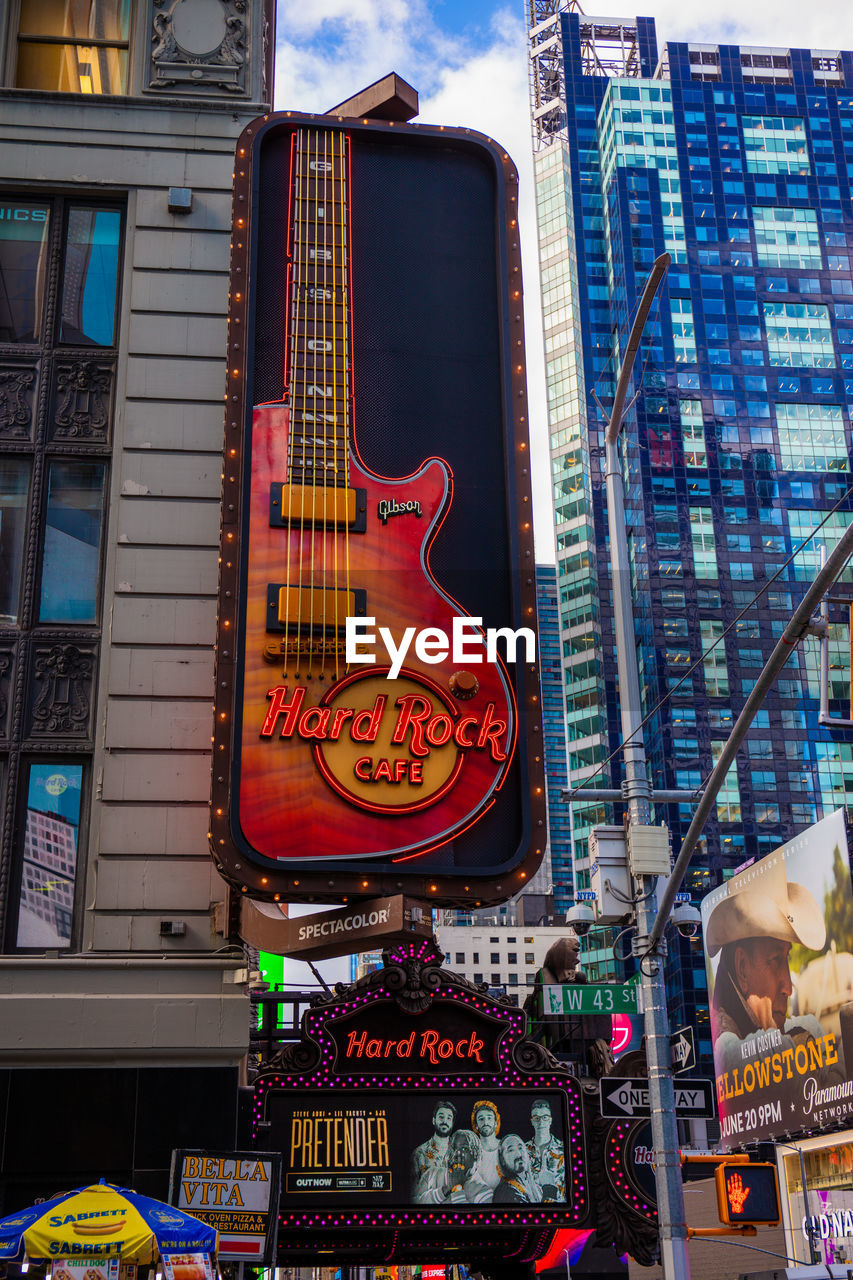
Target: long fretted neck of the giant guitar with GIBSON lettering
[318,372]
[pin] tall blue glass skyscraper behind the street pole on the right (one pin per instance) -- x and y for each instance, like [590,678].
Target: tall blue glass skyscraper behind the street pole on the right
[738,163]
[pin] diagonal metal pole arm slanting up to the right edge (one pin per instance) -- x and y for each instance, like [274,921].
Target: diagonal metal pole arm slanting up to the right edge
[802,621]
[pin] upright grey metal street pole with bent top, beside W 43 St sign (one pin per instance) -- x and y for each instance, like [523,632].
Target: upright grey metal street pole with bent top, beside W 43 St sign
[665,1139]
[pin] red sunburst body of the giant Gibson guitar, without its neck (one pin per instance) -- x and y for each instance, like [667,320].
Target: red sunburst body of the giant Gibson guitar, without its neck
[289,803]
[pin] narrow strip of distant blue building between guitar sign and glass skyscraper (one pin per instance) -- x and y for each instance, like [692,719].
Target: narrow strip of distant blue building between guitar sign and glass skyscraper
[554,723]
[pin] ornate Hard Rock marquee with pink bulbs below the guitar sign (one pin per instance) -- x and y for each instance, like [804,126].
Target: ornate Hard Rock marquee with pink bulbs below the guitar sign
[416,1117]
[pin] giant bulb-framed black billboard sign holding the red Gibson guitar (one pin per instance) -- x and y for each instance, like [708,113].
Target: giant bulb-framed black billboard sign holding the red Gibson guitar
[377,719]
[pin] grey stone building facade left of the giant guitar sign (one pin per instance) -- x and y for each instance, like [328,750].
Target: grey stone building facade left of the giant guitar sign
[120,122]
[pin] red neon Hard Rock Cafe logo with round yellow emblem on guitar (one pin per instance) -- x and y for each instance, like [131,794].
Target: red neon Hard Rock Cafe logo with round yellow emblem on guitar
[393,751]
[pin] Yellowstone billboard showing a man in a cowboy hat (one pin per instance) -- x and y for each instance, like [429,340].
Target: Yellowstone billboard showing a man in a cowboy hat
[779,956]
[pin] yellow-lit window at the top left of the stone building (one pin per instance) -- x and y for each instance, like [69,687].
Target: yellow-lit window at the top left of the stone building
[74,47]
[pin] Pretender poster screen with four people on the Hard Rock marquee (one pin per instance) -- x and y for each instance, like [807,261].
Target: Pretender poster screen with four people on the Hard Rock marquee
[427,1149]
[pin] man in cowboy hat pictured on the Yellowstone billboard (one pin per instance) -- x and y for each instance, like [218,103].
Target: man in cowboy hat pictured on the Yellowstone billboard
[754,930]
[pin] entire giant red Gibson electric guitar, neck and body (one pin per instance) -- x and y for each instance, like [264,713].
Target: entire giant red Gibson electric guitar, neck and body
[419,752]
